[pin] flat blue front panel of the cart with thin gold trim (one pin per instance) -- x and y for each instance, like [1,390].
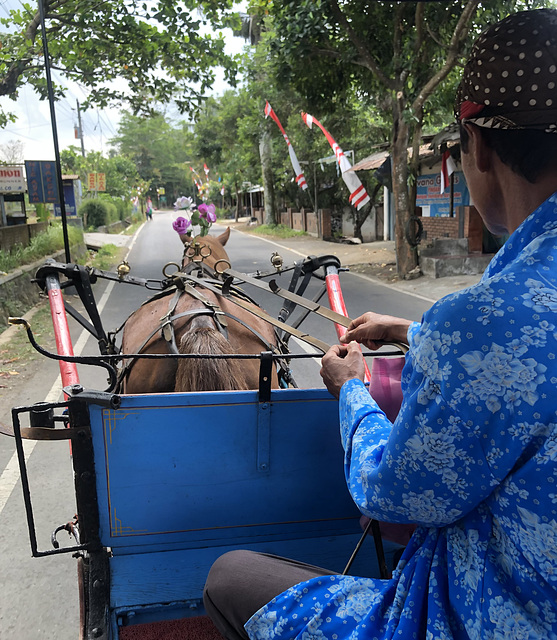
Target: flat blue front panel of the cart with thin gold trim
[190,470]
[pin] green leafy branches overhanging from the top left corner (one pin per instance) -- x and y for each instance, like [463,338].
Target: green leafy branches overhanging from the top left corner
[155,50]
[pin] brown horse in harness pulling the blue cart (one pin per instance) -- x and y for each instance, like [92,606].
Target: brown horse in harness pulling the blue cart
[195,331]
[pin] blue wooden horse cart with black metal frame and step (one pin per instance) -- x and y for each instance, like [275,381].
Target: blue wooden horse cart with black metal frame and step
[165,483]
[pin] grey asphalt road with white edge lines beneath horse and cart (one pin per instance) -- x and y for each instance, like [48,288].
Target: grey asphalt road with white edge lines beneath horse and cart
[39,596]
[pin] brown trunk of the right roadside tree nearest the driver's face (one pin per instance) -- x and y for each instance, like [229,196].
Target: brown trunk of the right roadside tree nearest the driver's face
[407,257]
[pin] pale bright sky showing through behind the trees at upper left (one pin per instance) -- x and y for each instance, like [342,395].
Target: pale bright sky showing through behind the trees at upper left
[33,125]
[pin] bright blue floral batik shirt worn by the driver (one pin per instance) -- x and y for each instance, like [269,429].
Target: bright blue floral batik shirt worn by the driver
[471,458]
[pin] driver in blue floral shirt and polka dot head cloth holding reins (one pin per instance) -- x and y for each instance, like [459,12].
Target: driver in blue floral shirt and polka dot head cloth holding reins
[472,455]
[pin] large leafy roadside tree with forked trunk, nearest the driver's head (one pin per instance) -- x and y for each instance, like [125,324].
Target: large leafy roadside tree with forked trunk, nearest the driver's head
[392,56]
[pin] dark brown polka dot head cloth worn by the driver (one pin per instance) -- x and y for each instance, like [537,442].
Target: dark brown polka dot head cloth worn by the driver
[510,80]
